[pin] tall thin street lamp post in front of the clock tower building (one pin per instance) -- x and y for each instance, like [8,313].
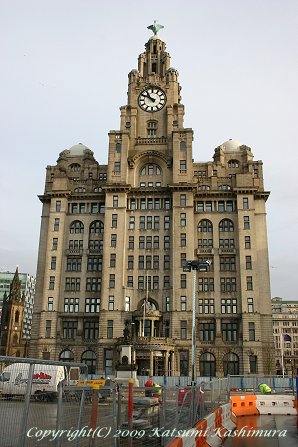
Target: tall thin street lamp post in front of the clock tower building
[201,265]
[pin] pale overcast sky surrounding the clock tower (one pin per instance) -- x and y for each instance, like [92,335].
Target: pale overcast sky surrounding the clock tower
[64,66]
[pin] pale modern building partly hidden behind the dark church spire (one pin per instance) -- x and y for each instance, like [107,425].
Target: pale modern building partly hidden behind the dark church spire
[27,282]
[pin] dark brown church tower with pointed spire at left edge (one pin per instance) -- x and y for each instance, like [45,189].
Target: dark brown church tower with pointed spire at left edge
[12,340]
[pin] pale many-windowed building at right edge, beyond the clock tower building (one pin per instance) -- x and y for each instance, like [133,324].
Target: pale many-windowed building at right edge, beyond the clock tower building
[285,331]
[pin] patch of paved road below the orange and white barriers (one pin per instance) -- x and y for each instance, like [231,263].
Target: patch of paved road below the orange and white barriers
[286,424]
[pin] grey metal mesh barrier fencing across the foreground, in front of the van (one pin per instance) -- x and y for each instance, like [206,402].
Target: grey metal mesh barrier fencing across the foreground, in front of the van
[34,414]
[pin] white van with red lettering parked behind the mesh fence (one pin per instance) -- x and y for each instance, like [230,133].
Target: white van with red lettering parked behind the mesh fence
[14,378]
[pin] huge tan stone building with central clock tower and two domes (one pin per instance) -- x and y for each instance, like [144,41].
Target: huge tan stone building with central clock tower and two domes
[114,239]
